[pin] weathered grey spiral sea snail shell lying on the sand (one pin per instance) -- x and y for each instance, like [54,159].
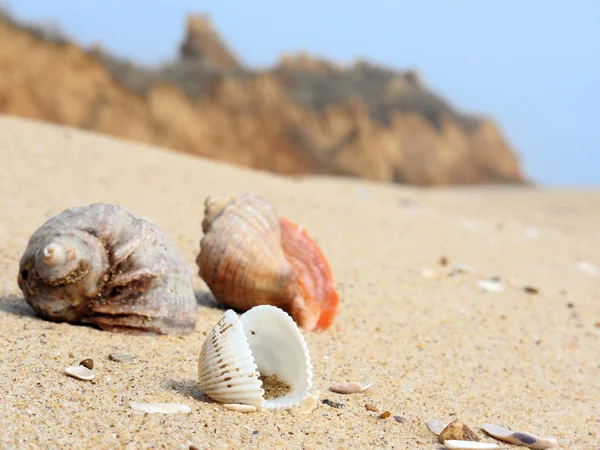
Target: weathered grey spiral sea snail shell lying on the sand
[102,265]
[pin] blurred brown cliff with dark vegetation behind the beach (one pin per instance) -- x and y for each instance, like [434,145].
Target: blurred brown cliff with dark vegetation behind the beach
[303,116]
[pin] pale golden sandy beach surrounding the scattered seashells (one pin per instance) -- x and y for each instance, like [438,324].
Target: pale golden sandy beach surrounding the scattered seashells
[433,341]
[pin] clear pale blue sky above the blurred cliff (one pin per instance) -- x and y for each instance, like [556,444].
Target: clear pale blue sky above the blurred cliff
[533,65]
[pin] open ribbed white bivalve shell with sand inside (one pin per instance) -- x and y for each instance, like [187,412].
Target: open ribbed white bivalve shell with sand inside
[265,340]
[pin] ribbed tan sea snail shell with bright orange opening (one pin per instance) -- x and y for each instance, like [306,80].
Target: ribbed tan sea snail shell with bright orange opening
[251,256]
